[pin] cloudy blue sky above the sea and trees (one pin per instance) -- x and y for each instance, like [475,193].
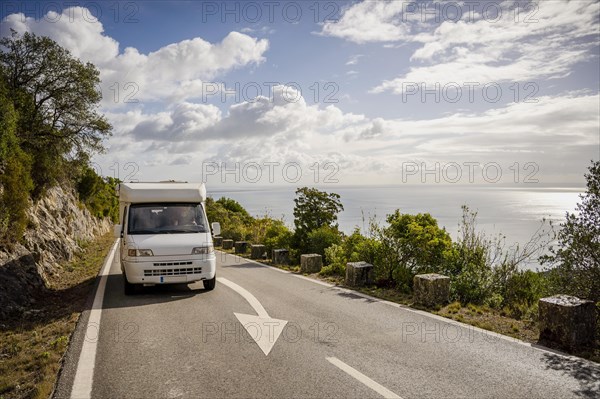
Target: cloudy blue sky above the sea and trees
[355,93]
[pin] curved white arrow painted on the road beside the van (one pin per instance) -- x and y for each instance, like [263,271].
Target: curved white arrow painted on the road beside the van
[263,329]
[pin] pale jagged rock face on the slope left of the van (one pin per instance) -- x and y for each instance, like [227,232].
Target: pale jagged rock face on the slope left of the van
[59,224]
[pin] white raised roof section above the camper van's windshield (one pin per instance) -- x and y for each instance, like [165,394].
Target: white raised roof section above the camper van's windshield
[162,192]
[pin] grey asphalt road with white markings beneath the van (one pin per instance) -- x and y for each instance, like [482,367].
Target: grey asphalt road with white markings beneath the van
[181,341]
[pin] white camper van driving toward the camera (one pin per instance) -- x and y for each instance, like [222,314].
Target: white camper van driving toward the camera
[165,235]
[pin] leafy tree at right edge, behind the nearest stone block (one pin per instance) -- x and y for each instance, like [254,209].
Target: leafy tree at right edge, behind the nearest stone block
[576,260]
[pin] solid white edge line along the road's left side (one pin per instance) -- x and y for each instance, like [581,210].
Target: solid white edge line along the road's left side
[84,375]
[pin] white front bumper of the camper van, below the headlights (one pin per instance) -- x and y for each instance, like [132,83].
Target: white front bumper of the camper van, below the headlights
[164,272]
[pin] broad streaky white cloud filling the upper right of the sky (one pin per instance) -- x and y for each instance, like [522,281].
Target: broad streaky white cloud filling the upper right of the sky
[533,44]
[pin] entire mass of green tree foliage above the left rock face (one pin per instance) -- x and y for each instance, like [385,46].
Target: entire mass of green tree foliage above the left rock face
[49,128]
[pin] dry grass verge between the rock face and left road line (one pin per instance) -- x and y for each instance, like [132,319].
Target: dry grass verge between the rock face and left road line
[32,346]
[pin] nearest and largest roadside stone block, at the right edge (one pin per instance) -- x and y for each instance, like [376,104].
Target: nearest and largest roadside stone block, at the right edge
[567,321]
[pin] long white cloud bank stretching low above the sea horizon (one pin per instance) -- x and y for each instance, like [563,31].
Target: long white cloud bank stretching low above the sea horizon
[276,130]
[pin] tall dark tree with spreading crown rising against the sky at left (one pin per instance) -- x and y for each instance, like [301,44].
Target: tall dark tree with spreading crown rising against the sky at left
[55,96]
